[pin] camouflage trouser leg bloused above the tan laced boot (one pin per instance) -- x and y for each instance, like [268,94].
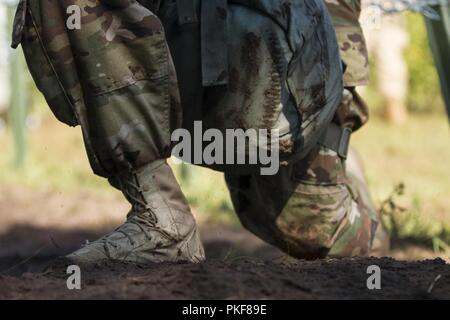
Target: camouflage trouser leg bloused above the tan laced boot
[114,76]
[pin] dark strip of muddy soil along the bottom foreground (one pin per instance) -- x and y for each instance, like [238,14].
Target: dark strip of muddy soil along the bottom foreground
[244,278]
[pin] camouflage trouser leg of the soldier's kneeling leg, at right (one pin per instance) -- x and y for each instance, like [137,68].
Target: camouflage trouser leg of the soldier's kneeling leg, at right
[311,209]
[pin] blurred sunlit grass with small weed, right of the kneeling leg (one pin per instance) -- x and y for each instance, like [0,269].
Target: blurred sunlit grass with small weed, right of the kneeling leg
[415,156]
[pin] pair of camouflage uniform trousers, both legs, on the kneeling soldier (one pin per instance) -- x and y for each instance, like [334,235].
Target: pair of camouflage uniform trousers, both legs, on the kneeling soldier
[115,77]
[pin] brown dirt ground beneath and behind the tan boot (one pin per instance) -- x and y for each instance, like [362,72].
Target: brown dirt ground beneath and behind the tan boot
[37,227]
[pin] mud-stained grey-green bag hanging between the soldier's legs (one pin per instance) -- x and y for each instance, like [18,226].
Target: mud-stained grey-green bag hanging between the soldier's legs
[282,70]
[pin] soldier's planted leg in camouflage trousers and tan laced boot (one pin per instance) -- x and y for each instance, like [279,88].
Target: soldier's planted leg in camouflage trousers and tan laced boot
[116,75]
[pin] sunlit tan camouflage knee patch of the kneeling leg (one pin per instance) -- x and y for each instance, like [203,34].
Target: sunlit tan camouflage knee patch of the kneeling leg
[313,220]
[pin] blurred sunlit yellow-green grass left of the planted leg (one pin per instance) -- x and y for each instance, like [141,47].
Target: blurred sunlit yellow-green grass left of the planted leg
[55,159]
